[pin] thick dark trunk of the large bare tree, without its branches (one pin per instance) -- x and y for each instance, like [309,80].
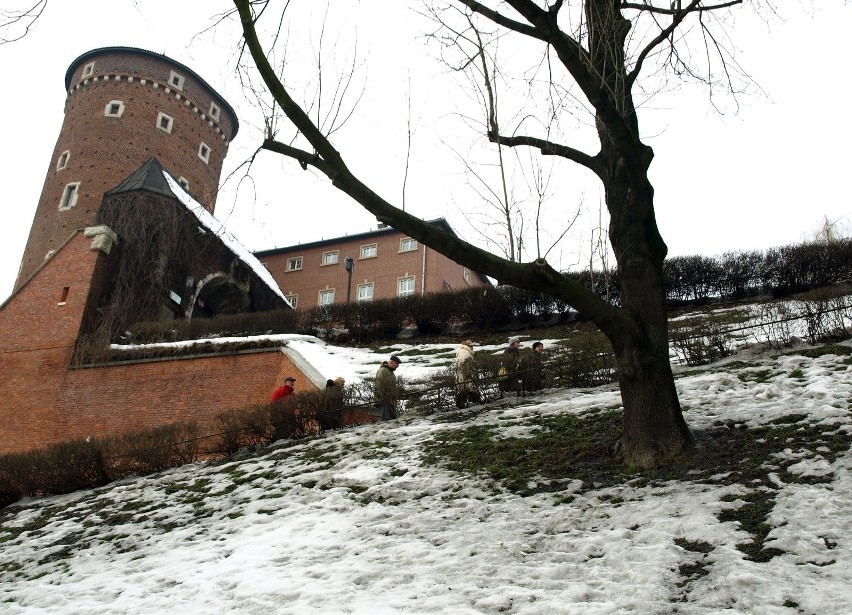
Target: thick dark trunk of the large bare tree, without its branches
[654,428]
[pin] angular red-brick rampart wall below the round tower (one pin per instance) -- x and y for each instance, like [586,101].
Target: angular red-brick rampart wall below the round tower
[43,401]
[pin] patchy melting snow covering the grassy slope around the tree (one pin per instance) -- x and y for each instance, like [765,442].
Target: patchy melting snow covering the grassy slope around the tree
[356,521]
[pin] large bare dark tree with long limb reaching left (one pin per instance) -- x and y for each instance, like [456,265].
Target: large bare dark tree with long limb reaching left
[595,51]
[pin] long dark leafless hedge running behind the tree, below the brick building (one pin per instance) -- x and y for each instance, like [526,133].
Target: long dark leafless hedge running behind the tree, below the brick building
[690,280]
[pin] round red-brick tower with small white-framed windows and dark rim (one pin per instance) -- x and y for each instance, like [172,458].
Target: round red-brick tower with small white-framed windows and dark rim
[124,106]
